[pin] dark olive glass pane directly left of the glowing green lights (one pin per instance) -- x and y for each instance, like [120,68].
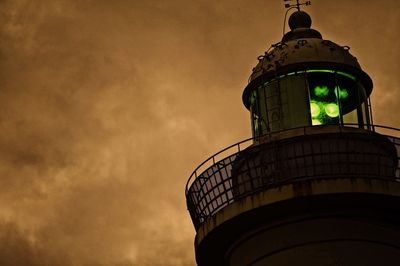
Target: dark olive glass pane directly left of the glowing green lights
[294,101]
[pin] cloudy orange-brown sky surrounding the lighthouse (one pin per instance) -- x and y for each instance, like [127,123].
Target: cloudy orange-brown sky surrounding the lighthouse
[106,107]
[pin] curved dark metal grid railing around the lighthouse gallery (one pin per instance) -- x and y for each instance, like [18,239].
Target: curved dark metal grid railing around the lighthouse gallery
[242,169]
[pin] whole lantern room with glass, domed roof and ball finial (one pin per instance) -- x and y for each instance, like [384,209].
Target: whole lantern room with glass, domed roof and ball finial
[307,81]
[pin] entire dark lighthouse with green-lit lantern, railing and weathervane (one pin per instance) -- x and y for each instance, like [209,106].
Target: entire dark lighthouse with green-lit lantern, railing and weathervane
[318,182]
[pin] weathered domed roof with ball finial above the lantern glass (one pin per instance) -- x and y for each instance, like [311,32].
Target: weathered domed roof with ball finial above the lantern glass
[303,48]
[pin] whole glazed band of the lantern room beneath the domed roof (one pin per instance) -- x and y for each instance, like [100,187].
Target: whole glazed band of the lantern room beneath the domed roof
[309,98]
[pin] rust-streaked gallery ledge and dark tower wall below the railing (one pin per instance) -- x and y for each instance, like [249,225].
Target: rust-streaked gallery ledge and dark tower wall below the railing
[326,222]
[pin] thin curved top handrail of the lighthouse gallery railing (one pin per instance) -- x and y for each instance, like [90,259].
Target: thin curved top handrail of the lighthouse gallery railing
[212,158]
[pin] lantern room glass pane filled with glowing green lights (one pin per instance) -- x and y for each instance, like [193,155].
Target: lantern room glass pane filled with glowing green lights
[324,106]
